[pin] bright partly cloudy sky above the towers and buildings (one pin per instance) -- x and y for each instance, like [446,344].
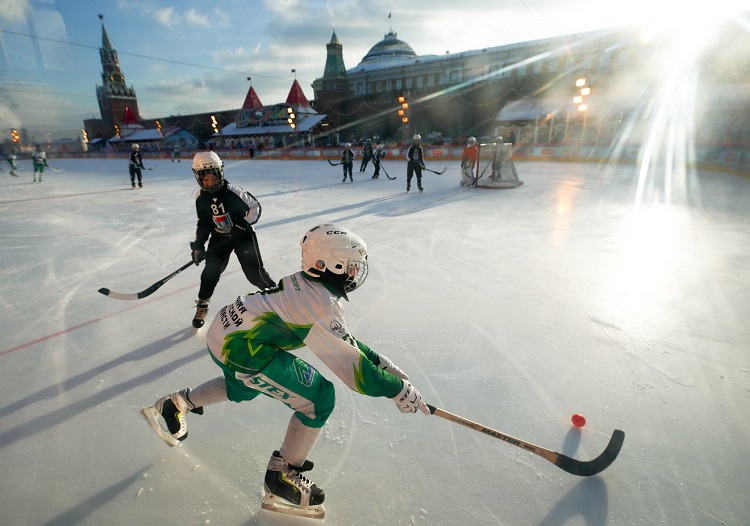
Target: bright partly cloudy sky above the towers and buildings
[186,56]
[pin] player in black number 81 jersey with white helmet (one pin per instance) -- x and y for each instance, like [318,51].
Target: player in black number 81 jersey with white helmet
[226,215]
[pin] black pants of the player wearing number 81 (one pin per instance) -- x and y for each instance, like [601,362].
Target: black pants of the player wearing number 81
[217,259]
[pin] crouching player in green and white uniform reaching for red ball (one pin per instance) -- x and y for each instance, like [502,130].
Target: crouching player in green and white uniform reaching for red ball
[250,341]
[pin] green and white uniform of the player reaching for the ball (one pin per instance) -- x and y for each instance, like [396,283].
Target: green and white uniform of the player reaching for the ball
[250,340]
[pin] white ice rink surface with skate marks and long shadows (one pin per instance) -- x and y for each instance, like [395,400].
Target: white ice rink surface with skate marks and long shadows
[589,289]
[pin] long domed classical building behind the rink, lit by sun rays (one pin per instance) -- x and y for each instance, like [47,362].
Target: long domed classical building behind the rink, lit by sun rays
[465,92]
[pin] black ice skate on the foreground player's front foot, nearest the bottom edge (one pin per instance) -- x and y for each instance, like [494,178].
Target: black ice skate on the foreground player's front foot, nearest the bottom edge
[287,491]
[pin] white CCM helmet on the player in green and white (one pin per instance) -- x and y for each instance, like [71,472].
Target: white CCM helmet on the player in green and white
[336,254]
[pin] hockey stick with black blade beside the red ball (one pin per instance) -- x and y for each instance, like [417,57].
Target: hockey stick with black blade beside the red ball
[571,465]
